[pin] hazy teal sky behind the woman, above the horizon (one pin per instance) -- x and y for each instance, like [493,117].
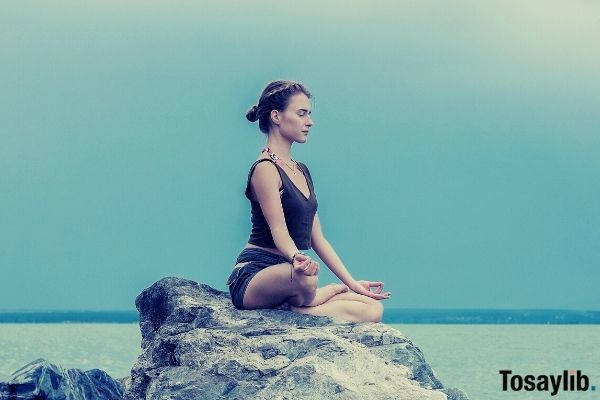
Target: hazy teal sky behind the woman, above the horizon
[455,150]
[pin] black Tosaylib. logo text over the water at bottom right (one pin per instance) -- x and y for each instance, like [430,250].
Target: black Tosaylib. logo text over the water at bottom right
[568,381]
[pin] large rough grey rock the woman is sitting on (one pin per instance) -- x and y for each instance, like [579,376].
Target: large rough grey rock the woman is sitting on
[196,345]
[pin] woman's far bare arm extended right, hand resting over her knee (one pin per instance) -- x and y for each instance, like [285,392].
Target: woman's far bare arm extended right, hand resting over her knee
[326,253]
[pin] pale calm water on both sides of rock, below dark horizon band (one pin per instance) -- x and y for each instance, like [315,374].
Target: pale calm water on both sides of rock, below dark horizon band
[464,356]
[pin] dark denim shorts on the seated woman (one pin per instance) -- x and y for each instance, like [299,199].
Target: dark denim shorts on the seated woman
[240,276]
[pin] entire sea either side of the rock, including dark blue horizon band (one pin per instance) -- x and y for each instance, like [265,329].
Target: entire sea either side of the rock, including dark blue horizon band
[463,347]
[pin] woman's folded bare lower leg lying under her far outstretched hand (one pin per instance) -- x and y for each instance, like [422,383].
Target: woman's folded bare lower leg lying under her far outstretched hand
[349,306]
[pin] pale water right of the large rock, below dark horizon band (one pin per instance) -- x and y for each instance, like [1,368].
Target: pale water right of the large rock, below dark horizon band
[469,356]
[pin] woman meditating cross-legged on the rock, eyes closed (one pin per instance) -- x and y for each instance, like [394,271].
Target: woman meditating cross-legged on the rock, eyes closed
[272,271]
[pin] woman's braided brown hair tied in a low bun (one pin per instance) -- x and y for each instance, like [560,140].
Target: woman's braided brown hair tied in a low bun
[275,96]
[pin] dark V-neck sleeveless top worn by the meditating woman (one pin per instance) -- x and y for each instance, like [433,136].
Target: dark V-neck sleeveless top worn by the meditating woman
[298,210]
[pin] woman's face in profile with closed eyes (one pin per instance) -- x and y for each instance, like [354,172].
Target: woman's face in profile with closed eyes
[295,120]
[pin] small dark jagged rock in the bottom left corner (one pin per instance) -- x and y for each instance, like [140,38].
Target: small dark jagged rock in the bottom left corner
[43,380]
